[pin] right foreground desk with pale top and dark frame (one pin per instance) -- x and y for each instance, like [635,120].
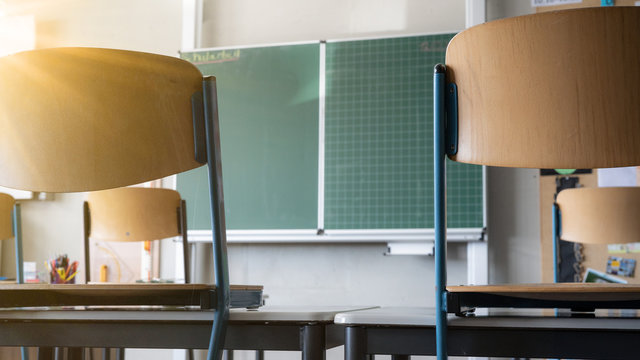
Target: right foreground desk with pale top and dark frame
[522,333]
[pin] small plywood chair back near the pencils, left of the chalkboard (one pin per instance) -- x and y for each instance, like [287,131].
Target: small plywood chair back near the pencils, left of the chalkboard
[133,214]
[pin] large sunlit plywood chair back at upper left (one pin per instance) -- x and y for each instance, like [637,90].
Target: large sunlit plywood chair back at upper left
[83,119]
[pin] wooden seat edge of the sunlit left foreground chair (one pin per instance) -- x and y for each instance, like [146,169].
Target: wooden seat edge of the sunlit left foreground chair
[202,295]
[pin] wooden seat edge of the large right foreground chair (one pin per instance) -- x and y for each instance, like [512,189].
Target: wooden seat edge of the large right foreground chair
[577,296]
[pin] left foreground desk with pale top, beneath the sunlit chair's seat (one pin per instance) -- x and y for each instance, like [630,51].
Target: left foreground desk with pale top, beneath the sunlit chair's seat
[307,329]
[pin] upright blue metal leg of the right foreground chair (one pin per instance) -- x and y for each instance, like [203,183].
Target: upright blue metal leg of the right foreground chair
[440,215]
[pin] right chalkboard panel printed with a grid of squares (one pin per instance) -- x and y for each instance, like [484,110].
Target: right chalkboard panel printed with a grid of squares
[379,138]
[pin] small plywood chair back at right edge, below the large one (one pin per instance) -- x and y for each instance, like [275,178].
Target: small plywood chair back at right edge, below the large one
[607,215]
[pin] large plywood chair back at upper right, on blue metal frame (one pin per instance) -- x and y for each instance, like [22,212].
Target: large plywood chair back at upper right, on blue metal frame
[551,90]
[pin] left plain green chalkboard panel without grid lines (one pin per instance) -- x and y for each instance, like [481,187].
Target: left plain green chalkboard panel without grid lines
[268,109]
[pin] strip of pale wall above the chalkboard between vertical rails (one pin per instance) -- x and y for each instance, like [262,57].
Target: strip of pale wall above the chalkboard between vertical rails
[243,22]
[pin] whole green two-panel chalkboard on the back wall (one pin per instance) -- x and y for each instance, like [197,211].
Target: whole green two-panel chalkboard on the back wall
[378,126]
